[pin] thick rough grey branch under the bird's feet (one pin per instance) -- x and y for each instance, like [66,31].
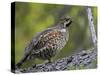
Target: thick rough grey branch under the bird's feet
[77,61]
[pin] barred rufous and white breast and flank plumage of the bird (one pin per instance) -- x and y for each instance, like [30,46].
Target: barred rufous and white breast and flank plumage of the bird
[53,42]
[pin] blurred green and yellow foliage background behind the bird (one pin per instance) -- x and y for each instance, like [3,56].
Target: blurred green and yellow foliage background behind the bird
[31,18]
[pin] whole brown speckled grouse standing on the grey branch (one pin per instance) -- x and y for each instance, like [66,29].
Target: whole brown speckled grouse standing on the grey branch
[48,43]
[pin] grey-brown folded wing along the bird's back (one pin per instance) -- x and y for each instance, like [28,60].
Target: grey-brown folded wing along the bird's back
[37,42]
